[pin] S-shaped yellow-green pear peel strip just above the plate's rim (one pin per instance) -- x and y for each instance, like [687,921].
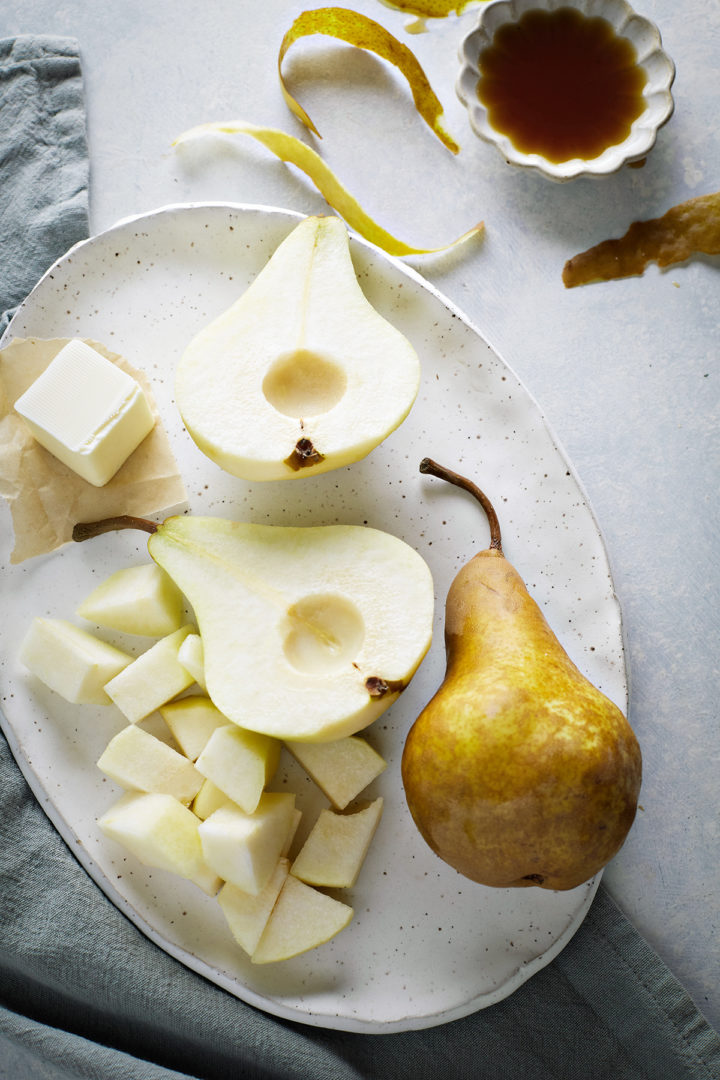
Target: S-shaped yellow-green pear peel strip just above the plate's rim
[291,150]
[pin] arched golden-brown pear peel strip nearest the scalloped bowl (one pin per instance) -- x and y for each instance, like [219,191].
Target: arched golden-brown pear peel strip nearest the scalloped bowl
[364,33]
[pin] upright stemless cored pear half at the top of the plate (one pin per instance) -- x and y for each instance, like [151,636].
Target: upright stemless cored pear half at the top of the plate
[302,375]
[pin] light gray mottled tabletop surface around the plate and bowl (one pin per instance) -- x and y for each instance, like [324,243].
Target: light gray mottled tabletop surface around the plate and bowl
[627,372]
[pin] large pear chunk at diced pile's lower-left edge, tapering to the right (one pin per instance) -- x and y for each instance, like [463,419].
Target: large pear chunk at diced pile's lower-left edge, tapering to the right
[162,833]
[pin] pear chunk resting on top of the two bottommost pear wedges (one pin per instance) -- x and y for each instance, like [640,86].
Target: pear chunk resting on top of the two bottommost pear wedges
[244,848]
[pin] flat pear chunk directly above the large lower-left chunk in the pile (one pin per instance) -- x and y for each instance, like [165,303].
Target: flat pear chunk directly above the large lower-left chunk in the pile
[138,761]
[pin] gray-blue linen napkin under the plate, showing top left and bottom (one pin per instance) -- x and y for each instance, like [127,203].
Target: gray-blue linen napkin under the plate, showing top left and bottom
[85,995]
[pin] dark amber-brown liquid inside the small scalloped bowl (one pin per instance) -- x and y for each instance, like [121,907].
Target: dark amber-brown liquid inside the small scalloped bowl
[562,85]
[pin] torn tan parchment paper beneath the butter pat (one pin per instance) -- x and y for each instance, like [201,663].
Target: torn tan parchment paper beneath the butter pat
[46,497]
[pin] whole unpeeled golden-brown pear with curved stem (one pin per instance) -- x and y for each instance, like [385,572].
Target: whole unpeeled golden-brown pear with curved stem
[519,772]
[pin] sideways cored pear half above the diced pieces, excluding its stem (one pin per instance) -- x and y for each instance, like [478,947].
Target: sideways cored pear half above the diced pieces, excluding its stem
[308,633]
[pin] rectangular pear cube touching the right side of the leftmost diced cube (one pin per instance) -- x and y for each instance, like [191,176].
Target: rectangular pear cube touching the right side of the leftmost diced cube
[152,680]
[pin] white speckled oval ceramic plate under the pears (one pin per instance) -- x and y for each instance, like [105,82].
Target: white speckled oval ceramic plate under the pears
[426,946]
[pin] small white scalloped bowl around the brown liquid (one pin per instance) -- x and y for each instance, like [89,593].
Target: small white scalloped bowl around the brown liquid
[659,69]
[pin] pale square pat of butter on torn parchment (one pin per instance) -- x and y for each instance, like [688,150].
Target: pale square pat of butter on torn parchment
[87,412]
